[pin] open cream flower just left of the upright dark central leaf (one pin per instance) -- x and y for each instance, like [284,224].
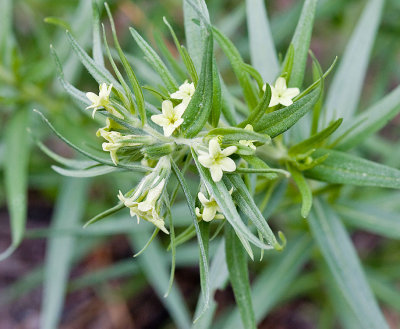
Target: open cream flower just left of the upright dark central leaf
[171,117]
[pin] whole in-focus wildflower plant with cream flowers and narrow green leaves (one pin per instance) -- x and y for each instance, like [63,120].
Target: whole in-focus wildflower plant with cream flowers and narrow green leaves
[244,150]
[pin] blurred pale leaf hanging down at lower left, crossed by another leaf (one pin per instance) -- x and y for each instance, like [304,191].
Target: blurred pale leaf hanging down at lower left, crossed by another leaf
[60,249]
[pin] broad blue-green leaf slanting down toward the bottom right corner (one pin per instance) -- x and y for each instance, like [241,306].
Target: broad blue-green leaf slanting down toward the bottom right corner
[344,264]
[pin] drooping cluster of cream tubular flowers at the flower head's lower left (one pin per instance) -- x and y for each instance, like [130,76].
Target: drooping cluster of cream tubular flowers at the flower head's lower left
[146,209]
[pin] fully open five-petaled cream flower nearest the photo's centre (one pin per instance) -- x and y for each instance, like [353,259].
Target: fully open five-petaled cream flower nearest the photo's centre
[217,160]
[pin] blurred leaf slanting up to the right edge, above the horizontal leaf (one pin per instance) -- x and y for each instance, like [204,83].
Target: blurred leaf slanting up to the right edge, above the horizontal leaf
[371,120]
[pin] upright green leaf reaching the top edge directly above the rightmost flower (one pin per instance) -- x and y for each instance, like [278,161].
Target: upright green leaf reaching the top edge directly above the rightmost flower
[301,42]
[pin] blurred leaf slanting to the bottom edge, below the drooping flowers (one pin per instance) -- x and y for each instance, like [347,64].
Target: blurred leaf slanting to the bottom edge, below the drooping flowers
[153,264]
